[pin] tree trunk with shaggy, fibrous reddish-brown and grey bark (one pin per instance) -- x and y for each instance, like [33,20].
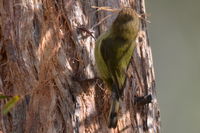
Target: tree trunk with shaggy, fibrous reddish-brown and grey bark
[47,58]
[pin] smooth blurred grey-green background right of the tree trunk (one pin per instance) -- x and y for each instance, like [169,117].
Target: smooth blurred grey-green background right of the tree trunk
[174,35]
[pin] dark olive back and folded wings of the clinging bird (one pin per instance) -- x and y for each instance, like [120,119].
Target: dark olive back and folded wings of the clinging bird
[116,58]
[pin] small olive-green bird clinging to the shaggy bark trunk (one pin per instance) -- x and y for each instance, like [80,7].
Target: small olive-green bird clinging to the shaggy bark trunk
[113,52]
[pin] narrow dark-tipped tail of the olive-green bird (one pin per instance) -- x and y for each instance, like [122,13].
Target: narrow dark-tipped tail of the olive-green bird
[113,114]
